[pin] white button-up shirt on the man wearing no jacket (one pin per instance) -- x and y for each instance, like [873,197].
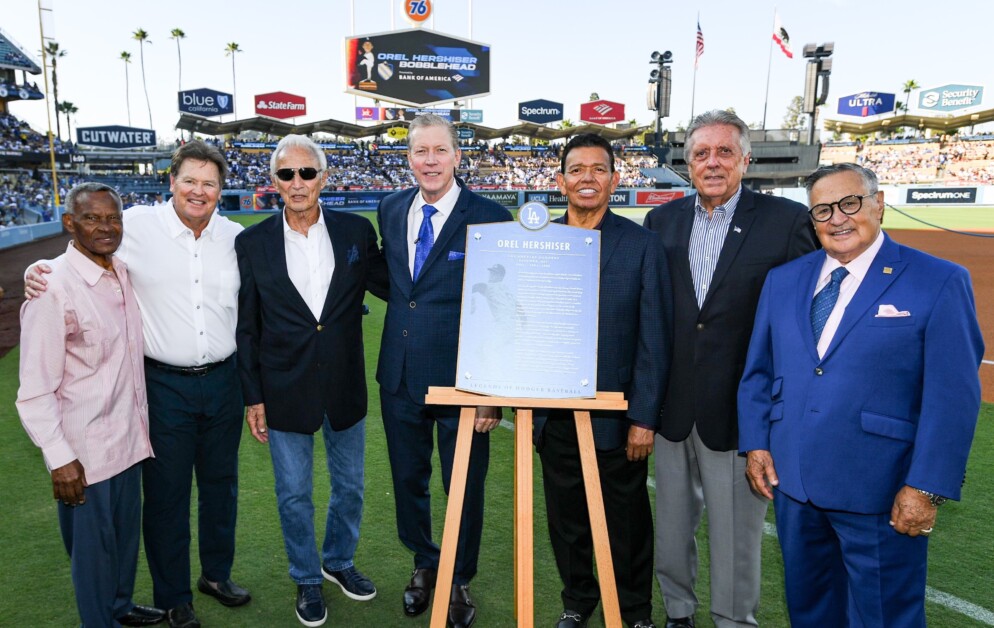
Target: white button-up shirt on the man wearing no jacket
[187,287]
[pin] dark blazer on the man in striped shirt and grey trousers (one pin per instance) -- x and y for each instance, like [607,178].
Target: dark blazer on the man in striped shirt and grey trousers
[710,341]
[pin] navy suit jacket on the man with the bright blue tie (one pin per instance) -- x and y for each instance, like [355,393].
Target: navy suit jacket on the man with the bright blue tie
[421,328]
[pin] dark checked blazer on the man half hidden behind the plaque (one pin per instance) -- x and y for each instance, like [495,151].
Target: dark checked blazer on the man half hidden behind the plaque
[634,329]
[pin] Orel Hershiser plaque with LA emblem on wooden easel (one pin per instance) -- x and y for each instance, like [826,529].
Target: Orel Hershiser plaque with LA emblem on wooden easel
[529,309]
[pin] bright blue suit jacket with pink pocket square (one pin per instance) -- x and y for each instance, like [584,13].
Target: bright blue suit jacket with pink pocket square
[894,401]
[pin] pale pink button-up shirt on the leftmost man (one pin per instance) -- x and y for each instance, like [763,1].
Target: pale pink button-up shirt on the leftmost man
[82,376]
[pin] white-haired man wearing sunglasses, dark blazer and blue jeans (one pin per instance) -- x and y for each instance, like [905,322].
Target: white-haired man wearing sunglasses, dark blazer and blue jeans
[304,273]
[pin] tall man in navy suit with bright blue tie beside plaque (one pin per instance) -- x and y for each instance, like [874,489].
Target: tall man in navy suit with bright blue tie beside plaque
[423,234]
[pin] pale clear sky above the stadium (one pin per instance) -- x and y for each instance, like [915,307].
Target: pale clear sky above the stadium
[556,50]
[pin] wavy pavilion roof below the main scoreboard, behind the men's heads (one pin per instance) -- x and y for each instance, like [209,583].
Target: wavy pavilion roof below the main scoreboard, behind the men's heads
[207,126]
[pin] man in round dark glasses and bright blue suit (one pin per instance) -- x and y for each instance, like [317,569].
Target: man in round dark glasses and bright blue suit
[857,408]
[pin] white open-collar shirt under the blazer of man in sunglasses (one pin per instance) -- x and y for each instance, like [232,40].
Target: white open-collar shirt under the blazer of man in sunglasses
[310,262]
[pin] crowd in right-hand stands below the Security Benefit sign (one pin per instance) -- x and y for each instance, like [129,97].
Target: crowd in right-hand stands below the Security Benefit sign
[947,160]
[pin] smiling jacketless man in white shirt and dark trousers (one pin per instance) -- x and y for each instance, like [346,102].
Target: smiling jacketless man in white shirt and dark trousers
[181,260]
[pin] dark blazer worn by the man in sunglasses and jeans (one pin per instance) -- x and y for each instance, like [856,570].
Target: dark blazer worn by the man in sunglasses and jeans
[301,367]
